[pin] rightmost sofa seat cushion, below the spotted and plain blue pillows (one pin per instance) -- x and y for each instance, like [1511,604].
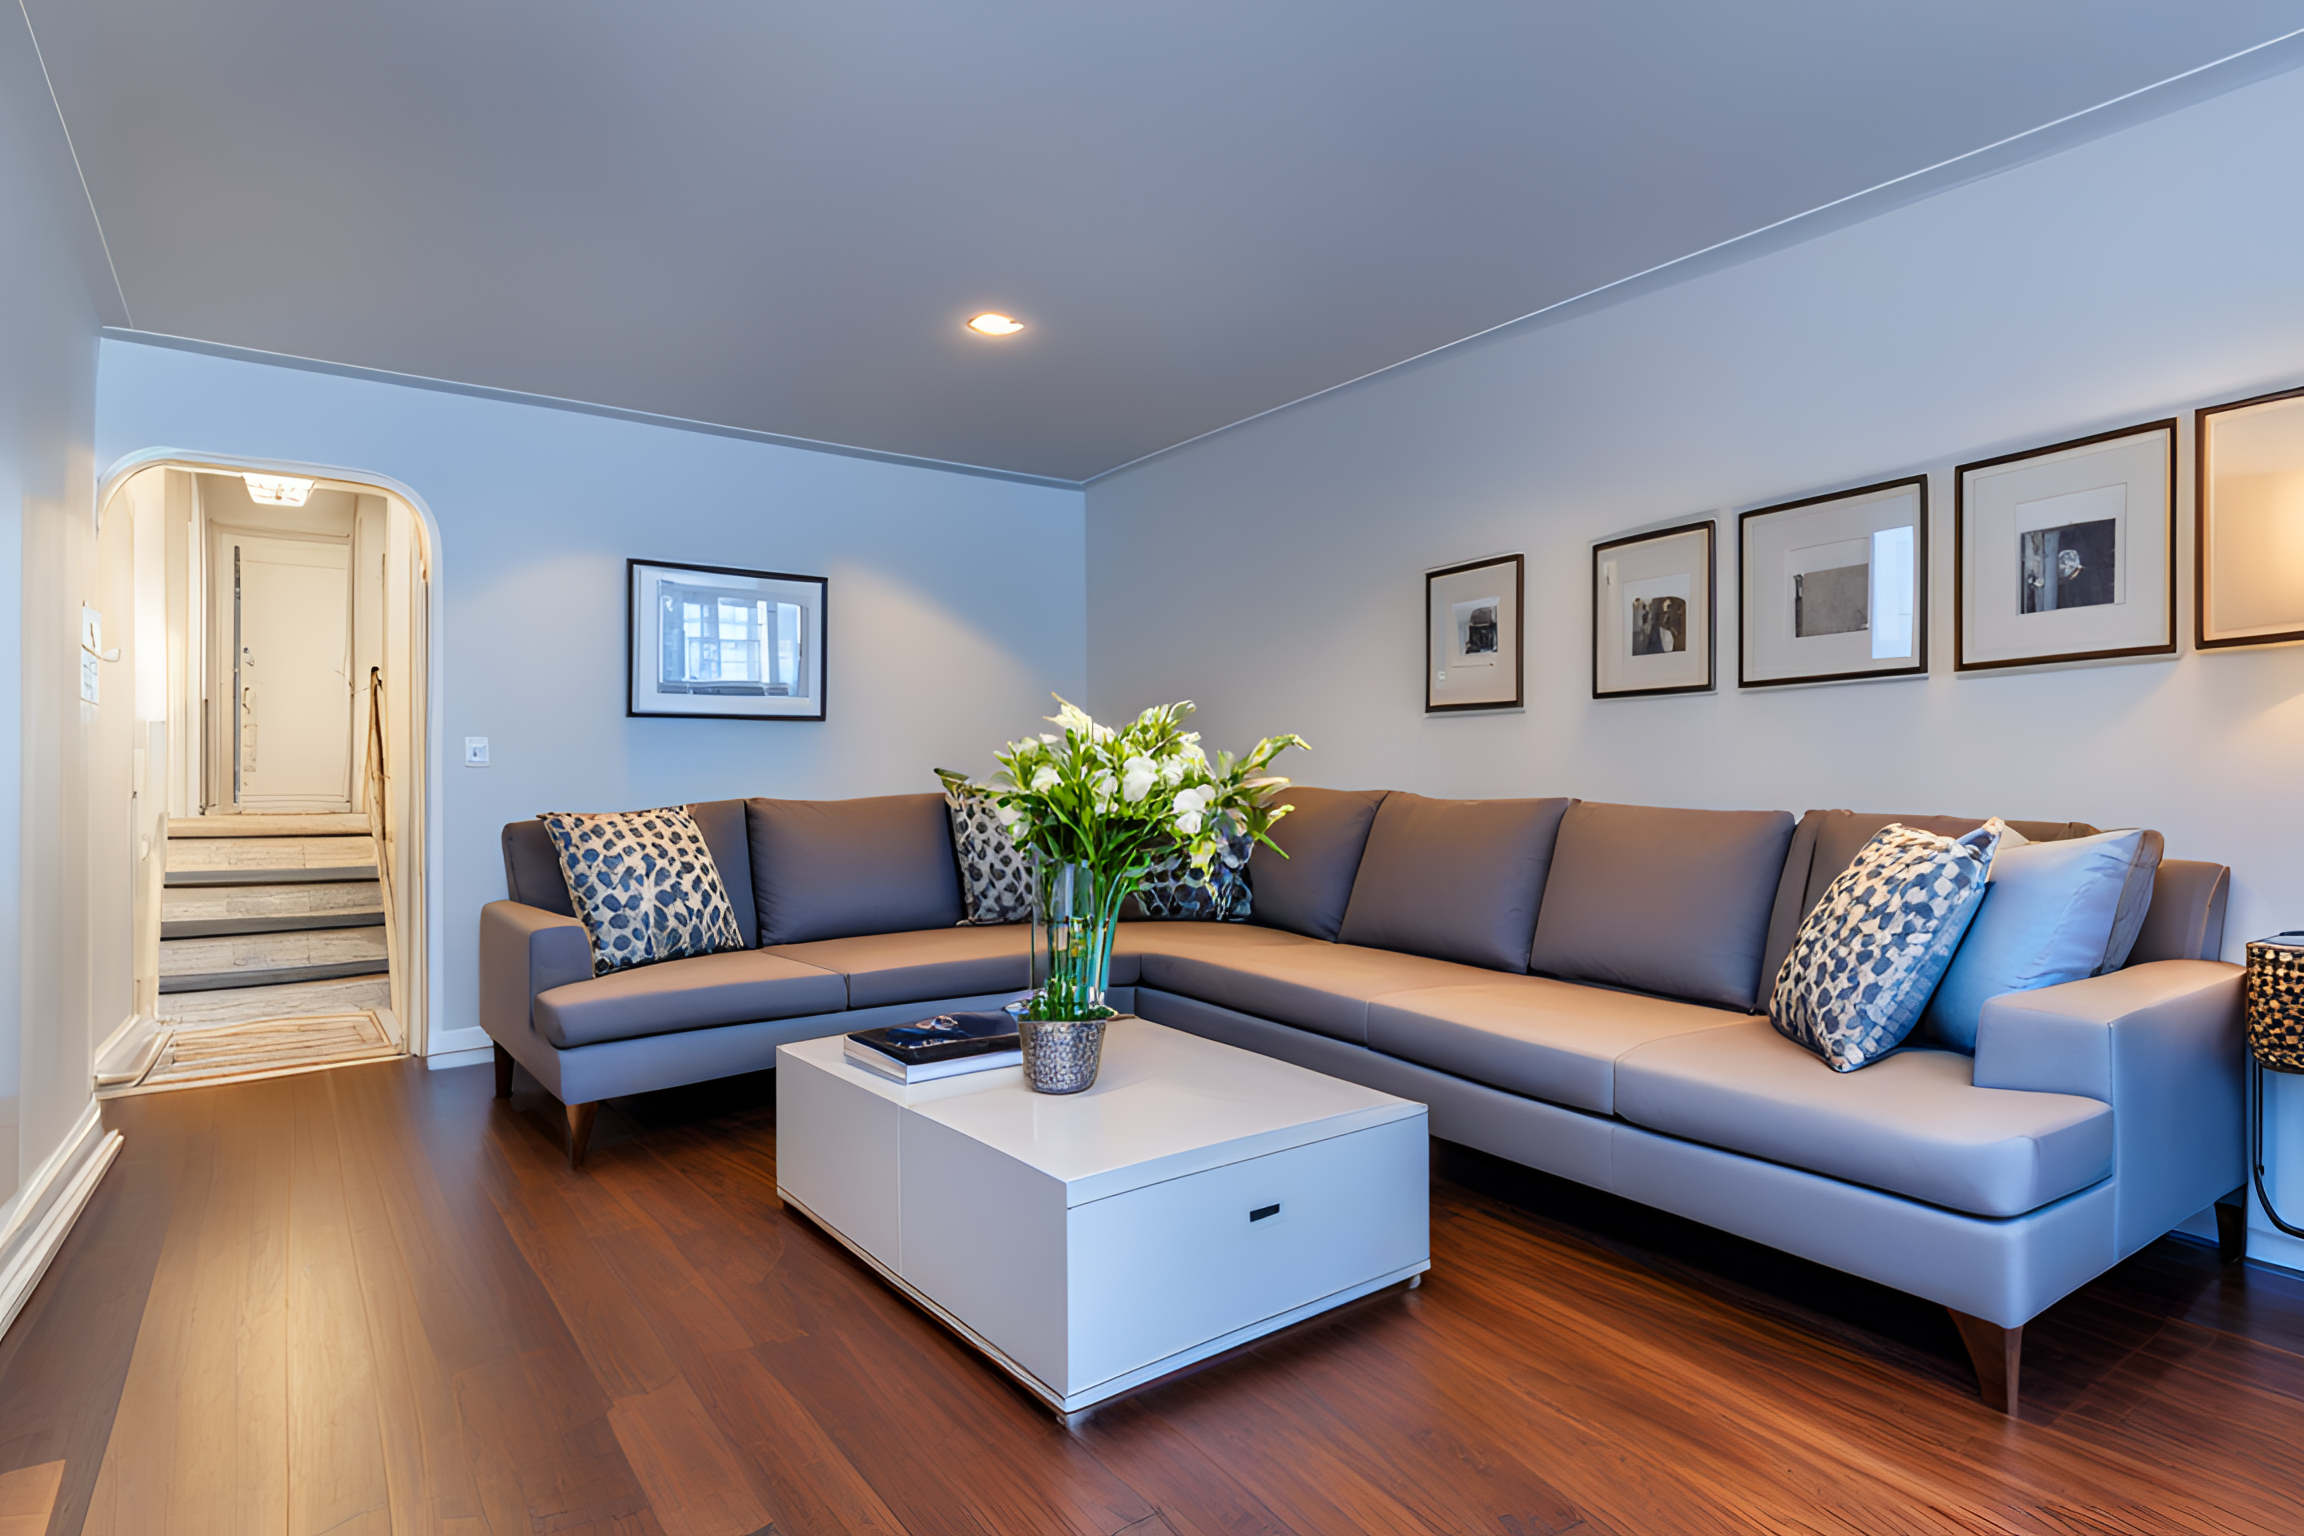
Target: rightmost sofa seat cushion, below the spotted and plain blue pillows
[1913,1125]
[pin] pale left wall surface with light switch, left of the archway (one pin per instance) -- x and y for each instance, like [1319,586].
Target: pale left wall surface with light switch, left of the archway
[52,280]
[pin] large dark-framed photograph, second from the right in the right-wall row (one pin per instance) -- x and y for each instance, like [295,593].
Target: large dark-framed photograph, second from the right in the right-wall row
[2066,554]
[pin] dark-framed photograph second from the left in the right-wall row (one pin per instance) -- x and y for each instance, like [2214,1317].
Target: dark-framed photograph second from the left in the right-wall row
[1653,614]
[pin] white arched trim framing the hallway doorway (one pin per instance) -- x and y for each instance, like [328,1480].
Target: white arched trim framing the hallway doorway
[425,938]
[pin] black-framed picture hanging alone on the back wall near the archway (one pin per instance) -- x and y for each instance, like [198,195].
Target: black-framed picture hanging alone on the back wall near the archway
[725,644]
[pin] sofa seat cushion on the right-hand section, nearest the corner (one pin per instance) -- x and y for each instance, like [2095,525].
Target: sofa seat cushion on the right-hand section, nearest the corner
[1314,987]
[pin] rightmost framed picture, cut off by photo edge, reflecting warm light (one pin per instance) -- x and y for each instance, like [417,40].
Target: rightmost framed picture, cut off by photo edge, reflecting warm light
[2250,522]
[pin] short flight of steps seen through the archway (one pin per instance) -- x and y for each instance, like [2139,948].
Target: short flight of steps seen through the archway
[271,918]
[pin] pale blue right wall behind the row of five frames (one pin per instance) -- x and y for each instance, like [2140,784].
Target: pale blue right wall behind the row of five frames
[1275,572]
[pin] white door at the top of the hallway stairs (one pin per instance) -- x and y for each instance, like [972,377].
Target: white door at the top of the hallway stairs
[291,674]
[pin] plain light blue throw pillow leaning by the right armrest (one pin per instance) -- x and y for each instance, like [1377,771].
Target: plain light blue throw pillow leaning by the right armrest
[2047,918]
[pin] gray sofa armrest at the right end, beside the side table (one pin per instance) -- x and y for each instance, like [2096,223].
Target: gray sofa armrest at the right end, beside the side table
[2158,1042]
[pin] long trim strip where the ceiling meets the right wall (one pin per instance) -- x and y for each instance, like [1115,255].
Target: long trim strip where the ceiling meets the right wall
[1904,190]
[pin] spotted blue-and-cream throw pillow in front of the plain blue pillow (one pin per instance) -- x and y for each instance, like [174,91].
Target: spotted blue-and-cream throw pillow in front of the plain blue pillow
[1874,948]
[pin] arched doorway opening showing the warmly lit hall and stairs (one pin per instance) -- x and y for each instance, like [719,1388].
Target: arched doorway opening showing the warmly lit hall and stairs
[280,867]
